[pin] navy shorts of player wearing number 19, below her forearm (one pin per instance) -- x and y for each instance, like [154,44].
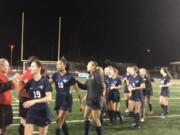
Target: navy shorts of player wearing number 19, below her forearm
[39,115]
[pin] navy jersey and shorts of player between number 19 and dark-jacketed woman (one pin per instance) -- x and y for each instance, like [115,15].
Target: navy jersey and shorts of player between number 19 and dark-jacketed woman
[63,92]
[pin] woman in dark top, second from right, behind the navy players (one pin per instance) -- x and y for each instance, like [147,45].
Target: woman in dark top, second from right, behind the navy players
[147,92]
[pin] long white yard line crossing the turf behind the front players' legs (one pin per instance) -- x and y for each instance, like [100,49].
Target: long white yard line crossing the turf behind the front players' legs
[80,121]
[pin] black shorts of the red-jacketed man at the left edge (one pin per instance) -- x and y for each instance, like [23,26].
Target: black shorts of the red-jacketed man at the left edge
[6,116]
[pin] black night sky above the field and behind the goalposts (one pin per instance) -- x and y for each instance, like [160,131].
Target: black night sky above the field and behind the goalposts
[119,30]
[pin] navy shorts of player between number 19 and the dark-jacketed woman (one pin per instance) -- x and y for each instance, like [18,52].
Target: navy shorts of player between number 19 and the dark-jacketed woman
[64,102]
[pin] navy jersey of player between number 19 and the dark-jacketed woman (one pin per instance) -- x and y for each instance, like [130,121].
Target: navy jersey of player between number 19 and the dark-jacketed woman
[63,83]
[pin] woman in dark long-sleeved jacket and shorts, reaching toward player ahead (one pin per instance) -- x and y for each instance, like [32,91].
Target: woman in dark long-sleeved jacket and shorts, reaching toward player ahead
[95,86]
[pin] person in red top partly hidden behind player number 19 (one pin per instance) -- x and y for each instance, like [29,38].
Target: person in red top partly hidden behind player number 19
[23,94]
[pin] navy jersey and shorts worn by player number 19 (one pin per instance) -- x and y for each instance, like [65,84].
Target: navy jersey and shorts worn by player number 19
[38,114]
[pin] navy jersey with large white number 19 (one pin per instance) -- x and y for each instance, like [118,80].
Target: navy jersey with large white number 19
[38,89]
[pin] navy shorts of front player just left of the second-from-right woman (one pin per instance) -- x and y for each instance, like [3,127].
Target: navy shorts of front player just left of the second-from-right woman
[137,96]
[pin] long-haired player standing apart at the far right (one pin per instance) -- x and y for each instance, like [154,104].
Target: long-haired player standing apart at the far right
[164,95]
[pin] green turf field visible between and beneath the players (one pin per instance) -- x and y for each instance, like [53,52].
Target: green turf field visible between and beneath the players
[153,125]
